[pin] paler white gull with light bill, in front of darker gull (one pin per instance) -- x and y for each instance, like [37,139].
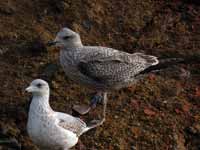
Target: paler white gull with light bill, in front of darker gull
[48,129]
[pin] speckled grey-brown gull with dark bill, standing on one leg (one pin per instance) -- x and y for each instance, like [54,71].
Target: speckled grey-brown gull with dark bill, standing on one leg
[100,68]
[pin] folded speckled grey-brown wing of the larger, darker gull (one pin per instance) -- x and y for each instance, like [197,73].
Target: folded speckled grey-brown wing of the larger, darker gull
[107,66]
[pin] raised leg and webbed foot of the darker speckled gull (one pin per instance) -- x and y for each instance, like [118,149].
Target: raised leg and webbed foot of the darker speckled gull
[84,109]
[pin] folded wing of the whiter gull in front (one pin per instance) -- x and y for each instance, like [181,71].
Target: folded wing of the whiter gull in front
[71,123]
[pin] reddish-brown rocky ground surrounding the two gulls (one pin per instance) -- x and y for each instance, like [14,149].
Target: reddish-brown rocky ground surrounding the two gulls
[161,112]
